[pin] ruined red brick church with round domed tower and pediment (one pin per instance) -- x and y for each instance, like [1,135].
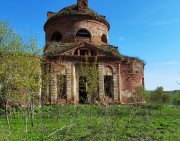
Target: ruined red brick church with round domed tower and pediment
[72,34]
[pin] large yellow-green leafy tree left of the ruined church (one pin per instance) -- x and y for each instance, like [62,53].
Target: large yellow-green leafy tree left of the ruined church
[20,70]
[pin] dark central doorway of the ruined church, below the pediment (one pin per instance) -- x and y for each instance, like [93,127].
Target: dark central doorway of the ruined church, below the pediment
[82,90]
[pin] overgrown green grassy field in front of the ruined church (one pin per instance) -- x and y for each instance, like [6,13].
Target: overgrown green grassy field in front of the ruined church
[92,123]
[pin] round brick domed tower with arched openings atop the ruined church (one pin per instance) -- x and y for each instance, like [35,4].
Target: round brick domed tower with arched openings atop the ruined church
[77,23]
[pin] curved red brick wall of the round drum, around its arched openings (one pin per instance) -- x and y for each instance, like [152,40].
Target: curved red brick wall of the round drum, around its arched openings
[68,26]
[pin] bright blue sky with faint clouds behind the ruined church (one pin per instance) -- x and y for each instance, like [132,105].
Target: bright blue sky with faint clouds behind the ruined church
[148,29]
